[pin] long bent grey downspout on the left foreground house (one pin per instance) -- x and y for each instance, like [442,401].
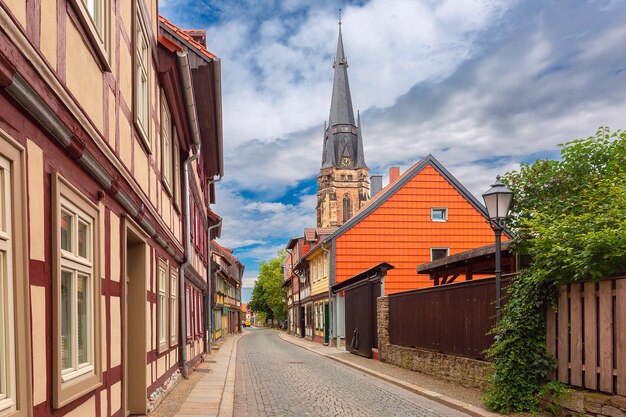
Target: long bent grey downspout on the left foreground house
[190,104]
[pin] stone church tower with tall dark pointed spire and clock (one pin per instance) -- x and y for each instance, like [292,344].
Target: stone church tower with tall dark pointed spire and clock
[342,185]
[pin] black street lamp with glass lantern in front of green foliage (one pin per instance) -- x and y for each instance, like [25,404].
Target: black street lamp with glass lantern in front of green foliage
[498,200]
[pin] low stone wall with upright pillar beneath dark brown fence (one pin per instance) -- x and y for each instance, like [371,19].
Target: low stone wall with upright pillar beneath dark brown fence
[464,371]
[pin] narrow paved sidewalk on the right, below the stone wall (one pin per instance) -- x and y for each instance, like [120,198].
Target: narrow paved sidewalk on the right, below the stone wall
[390,373]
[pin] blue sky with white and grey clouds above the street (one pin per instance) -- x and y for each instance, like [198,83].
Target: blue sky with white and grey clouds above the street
[483,85]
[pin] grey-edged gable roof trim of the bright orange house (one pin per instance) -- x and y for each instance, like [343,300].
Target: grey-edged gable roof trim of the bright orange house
[391,189]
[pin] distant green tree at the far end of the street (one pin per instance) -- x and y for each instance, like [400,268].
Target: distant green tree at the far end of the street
[268,296]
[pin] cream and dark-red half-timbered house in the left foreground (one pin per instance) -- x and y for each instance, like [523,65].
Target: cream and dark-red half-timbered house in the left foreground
[110,138]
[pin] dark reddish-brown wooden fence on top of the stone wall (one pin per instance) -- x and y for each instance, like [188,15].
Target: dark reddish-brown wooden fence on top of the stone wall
[452,318]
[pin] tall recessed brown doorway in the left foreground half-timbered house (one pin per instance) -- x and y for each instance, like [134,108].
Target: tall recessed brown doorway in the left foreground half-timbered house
[135,362]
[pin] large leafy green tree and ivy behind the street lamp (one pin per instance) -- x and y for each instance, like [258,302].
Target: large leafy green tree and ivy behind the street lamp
[570,216]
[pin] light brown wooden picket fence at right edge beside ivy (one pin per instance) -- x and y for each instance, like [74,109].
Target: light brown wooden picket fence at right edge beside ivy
[587,335]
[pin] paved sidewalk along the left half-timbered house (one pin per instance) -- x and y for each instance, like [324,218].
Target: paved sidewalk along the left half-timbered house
[210,390]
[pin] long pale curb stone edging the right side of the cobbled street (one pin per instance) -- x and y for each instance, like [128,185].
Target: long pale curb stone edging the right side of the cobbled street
[432,395]
